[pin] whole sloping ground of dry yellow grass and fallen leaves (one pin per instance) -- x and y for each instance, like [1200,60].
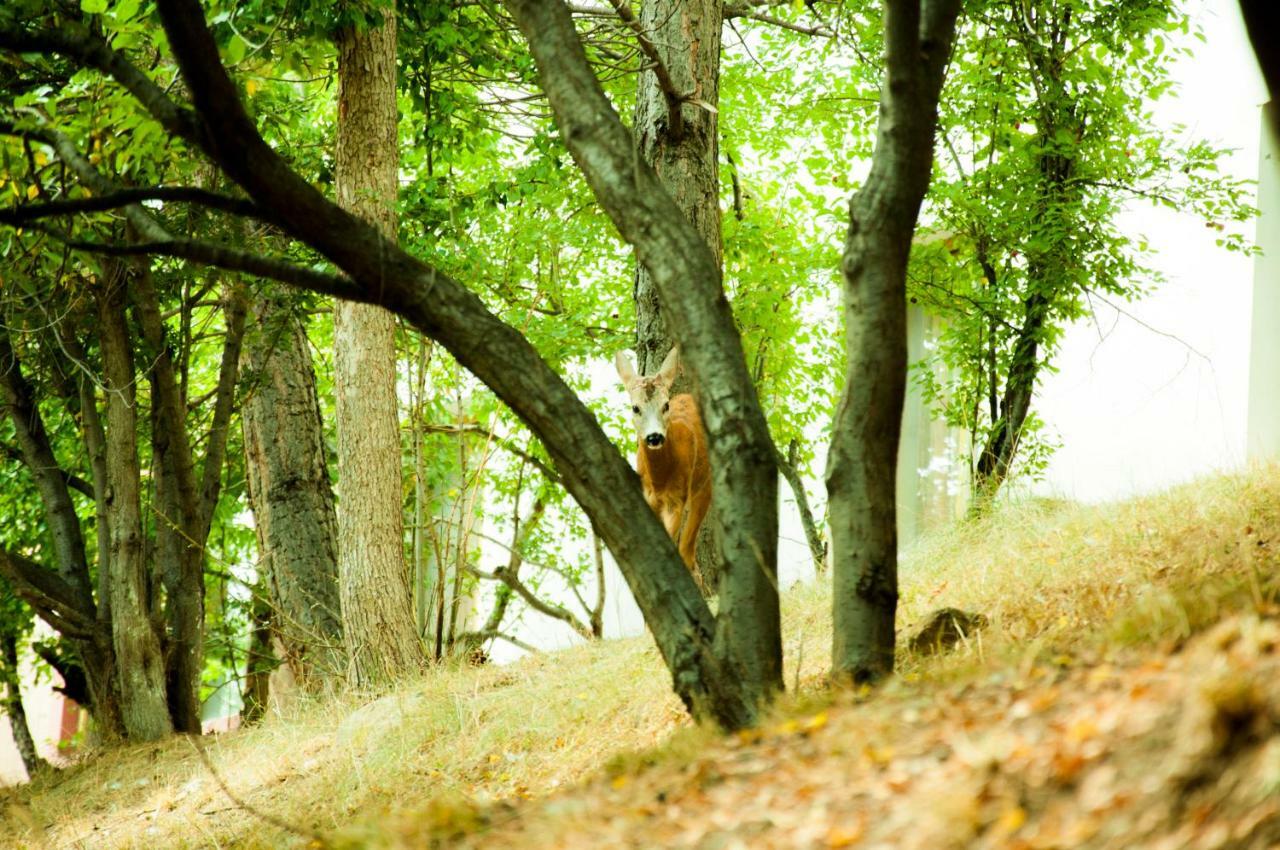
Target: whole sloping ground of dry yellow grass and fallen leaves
[1126,694]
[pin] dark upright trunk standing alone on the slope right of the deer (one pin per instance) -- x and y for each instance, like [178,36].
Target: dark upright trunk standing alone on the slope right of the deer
[863,459]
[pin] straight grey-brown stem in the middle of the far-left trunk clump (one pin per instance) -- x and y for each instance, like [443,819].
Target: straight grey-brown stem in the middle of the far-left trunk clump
[140,666]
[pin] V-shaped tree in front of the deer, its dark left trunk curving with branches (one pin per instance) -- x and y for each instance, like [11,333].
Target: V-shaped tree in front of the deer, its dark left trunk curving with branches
[720,678]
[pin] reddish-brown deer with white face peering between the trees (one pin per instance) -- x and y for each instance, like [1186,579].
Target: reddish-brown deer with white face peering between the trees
[671,454]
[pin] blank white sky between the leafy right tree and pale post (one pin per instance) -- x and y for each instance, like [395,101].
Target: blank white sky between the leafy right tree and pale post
[1162,396]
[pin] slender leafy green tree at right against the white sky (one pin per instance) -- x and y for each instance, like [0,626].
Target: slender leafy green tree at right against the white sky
[1049,136]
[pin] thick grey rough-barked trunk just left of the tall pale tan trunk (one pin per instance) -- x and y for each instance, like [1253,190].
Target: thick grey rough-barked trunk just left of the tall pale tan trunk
[291,496]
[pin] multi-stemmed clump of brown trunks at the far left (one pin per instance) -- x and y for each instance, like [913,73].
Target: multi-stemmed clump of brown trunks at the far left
[140,642]
